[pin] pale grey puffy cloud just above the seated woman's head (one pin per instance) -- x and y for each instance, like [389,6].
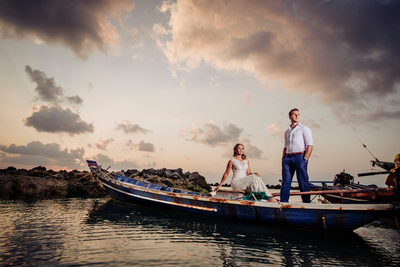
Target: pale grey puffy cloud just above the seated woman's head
[212,134]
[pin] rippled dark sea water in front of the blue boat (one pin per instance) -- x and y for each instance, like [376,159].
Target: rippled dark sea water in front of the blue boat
[105,232]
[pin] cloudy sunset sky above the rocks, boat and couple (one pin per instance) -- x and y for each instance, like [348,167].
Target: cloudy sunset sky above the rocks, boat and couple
[176,84]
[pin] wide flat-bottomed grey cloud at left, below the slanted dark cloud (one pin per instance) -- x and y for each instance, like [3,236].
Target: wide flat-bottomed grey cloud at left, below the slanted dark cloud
[55,119]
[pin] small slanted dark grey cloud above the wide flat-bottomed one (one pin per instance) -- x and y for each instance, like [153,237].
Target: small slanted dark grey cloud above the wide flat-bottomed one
[46,87]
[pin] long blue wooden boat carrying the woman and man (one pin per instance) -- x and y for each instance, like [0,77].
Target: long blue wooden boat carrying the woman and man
[299,215]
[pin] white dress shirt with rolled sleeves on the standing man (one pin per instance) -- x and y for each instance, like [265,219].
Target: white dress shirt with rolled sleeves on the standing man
[297,139]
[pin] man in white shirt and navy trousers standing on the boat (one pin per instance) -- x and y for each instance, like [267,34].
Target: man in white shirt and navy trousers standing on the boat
[297,151]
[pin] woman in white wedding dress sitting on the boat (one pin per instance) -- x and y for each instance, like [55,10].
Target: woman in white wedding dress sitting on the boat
[243,179]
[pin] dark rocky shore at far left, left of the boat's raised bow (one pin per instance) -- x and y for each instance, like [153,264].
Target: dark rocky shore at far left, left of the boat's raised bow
[40,183]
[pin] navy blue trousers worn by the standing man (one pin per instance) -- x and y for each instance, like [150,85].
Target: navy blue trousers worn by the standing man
[290,165]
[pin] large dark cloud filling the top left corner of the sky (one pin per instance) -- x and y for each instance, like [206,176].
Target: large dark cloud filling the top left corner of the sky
[79,25]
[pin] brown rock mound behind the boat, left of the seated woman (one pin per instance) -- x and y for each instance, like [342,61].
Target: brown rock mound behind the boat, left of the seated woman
[176,178]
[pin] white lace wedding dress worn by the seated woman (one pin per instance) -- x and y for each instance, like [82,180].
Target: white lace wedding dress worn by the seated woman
[247,183]
